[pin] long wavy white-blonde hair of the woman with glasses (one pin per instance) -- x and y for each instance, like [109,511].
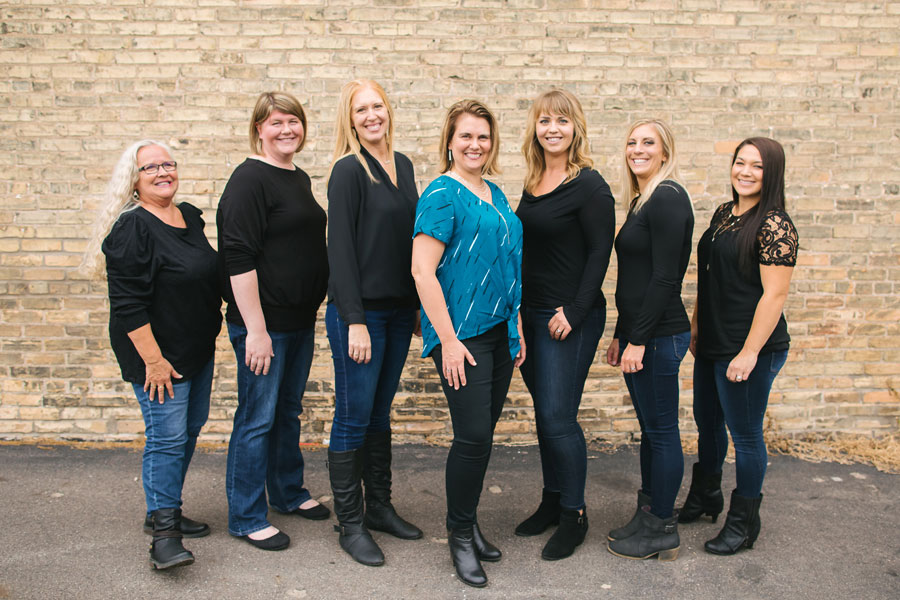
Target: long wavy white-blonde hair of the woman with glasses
[120,197]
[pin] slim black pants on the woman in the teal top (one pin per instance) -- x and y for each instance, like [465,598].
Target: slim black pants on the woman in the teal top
[474,410]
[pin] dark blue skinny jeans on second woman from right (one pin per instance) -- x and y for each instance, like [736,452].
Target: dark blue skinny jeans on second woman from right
[654,394]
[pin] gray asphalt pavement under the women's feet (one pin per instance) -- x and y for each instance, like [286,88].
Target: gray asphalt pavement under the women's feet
[70,528]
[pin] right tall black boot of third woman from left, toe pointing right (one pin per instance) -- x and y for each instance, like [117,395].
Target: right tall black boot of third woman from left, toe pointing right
[380,513]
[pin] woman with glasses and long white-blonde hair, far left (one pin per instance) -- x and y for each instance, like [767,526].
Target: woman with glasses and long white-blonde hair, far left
[164,318]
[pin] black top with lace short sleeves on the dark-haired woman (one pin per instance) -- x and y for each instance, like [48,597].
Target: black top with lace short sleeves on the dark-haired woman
[727,298]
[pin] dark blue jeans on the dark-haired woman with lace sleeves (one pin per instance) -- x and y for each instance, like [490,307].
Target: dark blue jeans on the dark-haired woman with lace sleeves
[741,406]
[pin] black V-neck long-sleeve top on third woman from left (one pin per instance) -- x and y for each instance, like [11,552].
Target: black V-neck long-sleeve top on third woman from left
[370,237]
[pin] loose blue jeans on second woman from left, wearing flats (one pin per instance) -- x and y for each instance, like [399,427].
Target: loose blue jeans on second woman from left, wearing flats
[264,451]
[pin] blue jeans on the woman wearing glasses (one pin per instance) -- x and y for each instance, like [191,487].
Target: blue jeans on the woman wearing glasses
[171,429]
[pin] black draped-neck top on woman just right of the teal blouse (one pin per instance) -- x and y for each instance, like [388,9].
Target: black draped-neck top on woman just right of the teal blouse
[568,239]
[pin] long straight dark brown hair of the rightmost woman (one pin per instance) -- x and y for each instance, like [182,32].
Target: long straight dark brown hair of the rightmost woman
[771,197]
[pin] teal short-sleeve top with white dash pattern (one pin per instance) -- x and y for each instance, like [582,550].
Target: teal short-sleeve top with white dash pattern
[480,271]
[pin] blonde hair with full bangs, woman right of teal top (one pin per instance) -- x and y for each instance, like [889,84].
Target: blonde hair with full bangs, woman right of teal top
[555,102]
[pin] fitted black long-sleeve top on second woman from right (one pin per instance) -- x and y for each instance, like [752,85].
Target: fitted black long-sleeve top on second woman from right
[653,248]
